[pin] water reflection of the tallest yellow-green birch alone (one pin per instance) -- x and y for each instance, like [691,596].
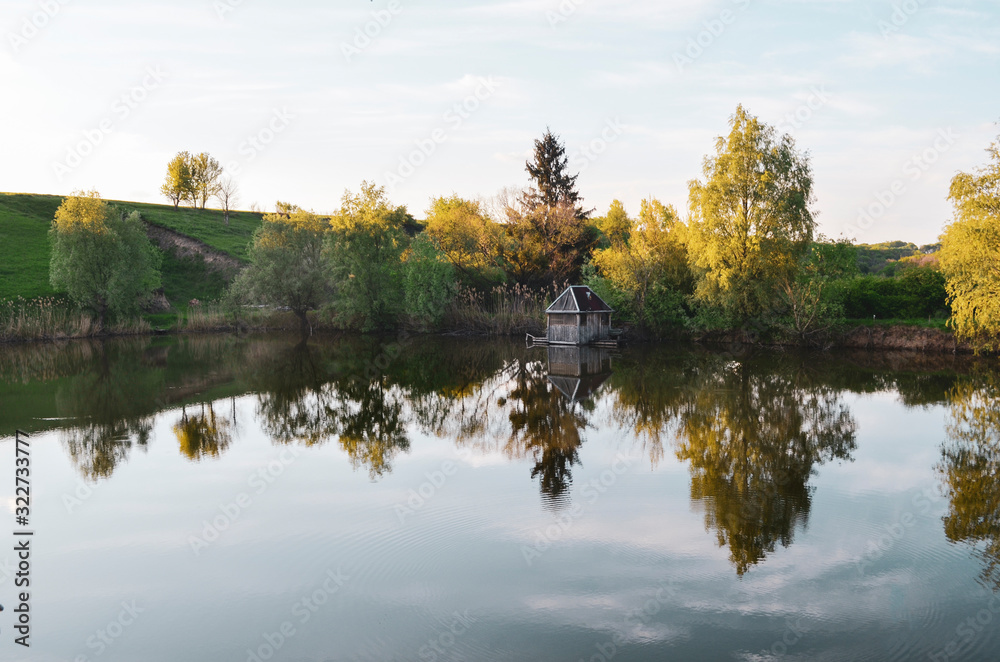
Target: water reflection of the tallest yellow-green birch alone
[753,438]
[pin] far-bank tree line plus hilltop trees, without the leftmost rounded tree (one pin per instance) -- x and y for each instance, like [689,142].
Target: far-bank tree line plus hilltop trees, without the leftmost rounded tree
[745,256]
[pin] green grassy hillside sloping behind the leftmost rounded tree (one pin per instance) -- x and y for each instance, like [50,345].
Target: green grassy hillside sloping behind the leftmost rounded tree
[24,245]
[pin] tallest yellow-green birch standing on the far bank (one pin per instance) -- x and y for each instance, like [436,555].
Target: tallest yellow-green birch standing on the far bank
[750,218]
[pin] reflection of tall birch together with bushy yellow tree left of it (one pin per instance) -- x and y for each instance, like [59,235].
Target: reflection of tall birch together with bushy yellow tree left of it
[753,433]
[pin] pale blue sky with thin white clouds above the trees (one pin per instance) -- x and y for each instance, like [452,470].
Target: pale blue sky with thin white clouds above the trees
[303,100]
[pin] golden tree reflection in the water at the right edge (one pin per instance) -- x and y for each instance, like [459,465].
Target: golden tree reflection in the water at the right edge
[970,467]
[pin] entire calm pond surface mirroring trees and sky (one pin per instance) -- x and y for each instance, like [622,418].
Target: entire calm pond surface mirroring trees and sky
[241,499]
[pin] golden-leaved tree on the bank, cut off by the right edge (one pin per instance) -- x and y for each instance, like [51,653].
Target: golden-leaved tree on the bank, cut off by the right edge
[970,253]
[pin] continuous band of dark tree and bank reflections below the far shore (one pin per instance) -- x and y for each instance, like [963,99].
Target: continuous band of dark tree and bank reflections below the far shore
[750,432]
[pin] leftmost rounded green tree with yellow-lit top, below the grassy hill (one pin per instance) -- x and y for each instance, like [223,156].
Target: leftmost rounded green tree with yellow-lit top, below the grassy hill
[102,257]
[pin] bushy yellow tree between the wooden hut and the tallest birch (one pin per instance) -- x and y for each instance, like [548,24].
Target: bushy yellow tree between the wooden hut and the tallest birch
[646,263]
